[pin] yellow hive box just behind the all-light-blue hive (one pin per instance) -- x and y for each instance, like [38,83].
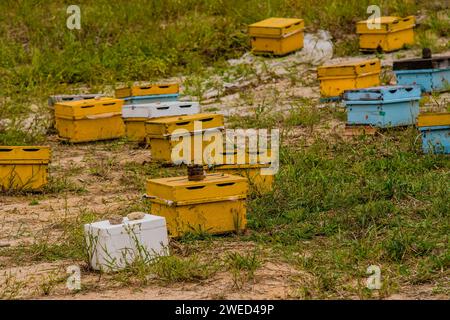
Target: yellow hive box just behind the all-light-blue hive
[335,79]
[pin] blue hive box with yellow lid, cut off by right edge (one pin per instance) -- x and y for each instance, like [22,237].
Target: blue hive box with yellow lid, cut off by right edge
[435,131]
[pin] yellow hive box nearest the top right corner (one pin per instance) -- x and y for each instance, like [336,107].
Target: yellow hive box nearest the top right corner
[394,33]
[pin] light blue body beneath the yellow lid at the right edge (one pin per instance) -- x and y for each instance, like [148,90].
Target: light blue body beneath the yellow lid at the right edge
[435,139]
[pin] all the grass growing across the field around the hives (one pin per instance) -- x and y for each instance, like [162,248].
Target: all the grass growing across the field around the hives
[337,206]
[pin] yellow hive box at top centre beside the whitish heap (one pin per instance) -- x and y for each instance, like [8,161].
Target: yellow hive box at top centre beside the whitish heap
[277,36]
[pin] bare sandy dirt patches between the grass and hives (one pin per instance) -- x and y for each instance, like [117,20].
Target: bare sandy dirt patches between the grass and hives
[101,170]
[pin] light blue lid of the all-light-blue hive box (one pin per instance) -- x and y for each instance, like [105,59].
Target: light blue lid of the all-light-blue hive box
[383,93]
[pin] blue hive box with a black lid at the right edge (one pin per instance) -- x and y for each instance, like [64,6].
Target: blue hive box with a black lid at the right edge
[431,73]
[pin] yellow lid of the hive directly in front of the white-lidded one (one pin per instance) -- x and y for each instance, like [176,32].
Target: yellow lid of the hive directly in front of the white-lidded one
[163,127]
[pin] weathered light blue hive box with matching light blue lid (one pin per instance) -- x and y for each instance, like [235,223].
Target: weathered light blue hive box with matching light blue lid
[384,106]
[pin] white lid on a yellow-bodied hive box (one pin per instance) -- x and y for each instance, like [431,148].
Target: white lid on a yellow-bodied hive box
[161,109]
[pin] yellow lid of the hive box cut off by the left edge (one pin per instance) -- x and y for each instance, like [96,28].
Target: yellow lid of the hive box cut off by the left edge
[14,153]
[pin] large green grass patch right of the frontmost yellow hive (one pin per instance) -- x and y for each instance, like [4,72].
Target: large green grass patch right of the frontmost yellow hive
[380,203]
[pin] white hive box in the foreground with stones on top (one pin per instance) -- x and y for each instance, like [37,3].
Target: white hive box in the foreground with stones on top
[113,247]
